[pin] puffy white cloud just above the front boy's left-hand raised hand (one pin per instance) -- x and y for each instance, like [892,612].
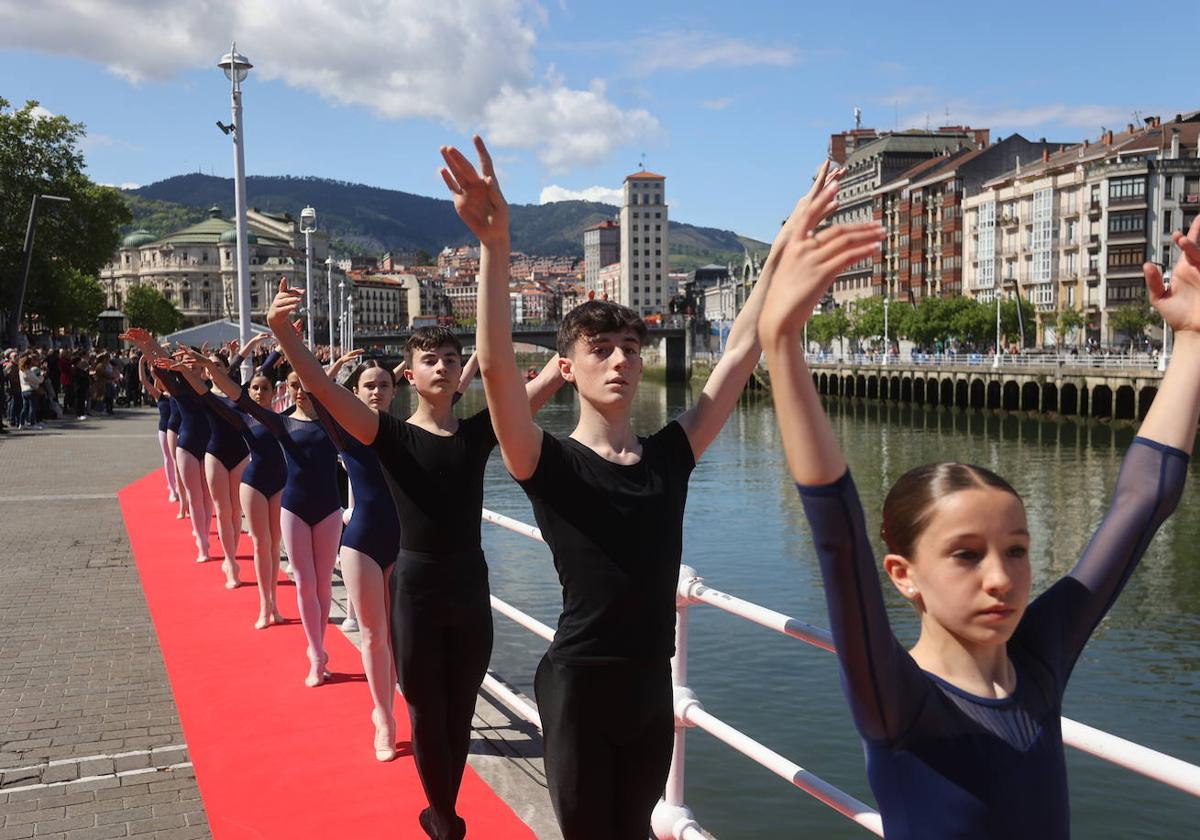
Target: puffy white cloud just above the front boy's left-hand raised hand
[567,127]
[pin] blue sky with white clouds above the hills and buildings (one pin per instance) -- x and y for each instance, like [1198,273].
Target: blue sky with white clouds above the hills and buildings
[733,101]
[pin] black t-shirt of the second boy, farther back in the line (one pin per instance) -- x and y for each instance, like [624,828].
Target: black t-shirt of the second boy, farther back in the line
[437,482]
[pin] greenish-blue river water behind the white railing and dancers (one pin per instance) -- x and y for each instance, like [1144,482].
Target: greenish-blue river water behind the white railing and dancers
[746,535]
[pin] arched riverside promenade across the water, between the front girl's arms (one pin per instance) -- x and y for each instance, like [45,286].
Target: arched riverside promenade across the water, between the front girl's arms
[1119,388]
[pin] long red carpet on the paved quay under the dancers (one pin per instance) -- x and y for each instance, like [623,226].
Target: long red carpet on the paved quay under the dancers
[275,759]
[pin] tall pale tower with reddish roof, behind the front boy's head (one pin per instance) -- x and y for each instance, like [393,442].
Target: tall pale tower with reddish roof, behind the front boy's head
[644,245]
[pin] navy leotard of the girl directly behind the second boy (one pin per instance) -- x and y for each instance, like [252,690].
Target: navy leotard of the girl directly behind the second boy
[375,521]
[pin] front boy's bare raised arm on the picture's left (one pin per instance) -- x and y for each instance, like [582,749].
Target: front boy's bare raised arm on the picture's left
[482,206]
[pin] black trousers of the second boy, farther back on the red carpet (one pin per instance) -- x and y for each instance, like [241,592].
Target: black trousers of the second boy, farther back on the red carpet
[442,640]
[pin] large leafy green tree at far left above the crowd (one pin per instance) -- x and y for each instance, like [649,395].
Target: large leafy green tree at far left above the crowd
[40,154]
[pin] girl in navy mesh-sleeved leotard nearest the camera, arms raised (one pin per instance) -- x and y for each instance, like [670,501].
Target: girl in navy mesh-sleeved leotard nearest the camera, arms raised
[963,733]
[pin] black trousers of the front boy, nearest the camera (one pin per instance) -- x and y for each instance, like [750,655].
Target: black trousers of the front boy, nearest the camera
[608,731]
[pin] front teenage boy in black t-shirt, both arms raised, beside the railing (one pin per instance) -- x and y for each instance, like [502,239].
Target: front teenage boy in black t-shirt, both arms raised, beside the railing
[610,506]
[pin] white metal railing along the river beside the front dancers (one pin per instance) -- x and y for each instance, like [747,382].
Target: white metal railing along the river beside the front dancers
[675,821]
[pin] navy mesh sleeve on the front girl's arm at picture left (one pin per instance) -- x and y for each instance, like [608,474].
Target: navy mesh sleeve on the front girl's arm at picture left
[883,683]
